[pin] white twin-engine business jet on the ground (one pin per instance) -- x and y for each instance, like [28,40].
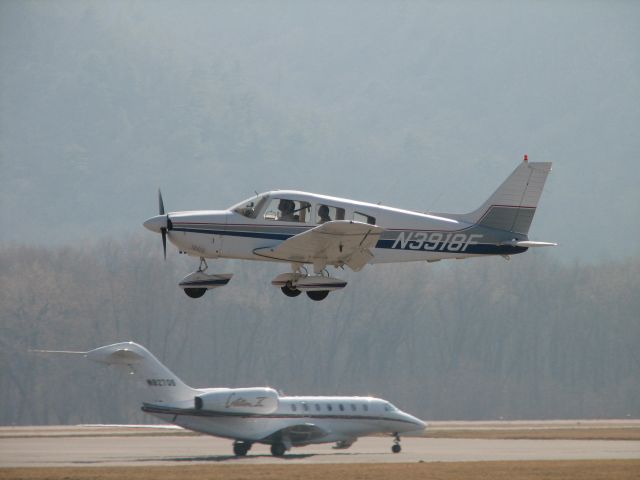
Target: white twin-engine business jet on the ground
[254,415]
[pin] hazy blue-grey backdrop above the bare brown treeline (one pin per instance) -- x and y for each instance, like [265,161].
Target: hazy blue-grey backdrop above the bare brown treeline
[423,105]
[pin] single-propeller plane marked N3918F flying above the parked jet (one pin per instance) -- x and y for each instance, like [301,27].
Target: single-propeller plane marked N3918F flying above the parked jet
[311,232]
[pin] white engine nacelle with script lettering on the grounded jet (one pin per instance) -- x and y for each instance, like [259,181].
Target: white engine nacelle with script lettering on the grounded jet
[239,400]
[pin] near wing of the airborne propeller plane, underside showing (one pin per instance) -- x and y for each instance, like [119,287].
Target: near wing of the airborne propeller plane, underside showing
[339,242]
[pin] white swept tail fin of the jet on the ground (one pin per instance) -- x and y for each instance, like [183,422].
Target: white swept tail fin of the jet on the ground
[160,384]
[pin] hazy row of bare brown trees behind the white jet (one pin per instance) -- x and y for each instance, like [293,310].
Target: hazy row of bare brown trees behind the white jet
[479,339]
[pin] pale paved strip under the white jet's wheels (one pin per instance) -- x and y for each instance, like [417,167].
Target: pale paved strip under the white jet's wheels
[113,446]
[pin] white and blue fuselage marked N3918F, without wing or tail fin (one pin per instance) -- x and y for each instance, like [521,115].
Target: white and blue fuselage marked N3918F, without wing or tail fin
[258,223]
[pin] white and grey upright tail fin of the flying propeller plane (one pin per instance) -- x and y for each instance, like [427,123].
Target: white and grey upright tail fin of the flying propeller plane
[513,204]
